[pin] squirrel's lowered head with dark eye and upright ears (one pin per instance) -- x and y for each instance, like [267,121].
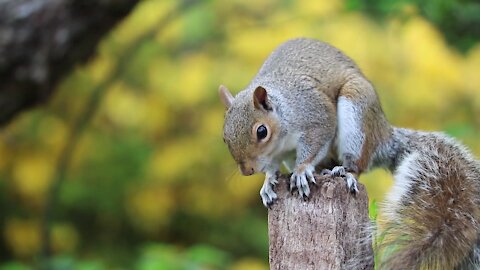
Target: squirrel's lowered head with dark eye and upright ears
[251,128]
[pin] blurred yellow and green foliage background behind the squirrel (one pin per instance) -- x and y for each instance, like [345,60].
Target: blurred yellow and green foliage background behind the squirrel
[148,183]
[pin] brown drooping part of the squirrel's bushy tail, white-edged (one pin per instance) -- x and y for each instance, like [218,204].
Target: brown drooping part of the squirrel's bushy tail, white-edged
[432,218]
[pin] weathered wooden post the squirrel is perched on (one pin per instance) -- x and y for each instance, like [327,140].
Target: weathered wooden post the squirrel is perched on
[328,231]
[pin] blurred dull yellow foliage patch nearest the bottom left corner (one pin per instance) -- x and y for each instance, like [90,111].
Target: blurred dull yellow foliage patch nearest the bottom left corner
[22,236]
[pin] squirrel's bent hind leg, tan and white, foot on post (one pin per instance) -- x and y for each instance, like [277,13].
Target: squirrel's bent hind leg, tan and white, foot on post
[360,125]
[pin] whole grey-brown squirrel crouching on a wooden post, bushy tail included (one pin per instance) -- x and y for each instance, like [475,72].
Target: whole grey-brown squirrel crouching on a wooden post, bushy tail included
[311,102]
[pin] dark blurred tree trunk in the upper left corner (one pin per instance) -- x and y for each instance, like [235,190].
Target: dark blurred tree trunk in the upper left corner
[42,40]
